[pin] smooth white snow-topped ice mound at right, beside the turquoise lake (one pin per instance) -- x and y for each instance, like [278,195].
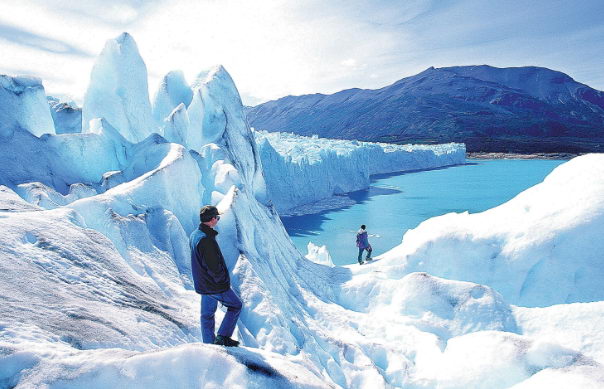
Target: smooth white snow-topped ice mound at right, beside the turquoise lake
[548,235]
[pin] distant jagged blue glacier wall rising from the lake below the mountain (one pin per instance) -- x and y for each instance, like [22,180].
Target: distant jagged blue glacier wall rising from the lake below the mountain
[301,170]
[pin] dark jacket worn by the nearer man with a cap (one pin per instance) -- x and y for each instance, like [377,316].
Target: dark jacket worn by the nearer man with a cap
[210,274]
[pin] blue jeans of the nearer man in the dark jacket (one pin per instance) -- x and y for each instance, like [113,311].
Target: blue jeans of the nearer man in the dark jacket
[209,303]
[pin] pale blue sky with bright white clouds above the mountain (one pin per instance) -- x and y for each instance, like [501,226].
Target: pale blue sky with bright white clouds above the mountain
[291,47]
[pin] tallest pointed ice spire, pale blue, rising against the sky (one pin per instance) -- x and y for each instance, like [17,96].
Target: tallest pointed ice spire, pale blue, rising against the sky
[118,90]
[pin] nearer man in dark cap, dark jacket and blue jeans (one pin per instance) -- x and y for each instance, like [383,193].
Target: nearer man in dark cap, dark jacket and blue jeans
[212,281]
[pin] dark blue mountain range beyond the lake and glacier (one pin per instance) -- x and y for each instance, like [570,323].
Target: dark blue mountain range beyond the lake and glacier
[517,109]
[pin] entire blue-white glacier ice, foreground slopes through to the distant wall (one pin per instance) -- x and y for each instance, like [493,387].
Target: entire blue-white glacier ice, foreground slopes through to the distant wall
[94,262]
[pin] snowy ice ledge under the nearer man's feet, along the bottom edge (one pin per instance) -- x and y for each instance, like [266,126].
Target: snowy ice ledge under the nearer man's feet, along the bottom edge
[184,366]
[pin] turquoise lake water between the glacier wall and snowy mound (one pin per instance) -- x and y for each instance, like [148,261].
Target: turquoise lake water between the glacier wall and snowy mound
[395,203]
